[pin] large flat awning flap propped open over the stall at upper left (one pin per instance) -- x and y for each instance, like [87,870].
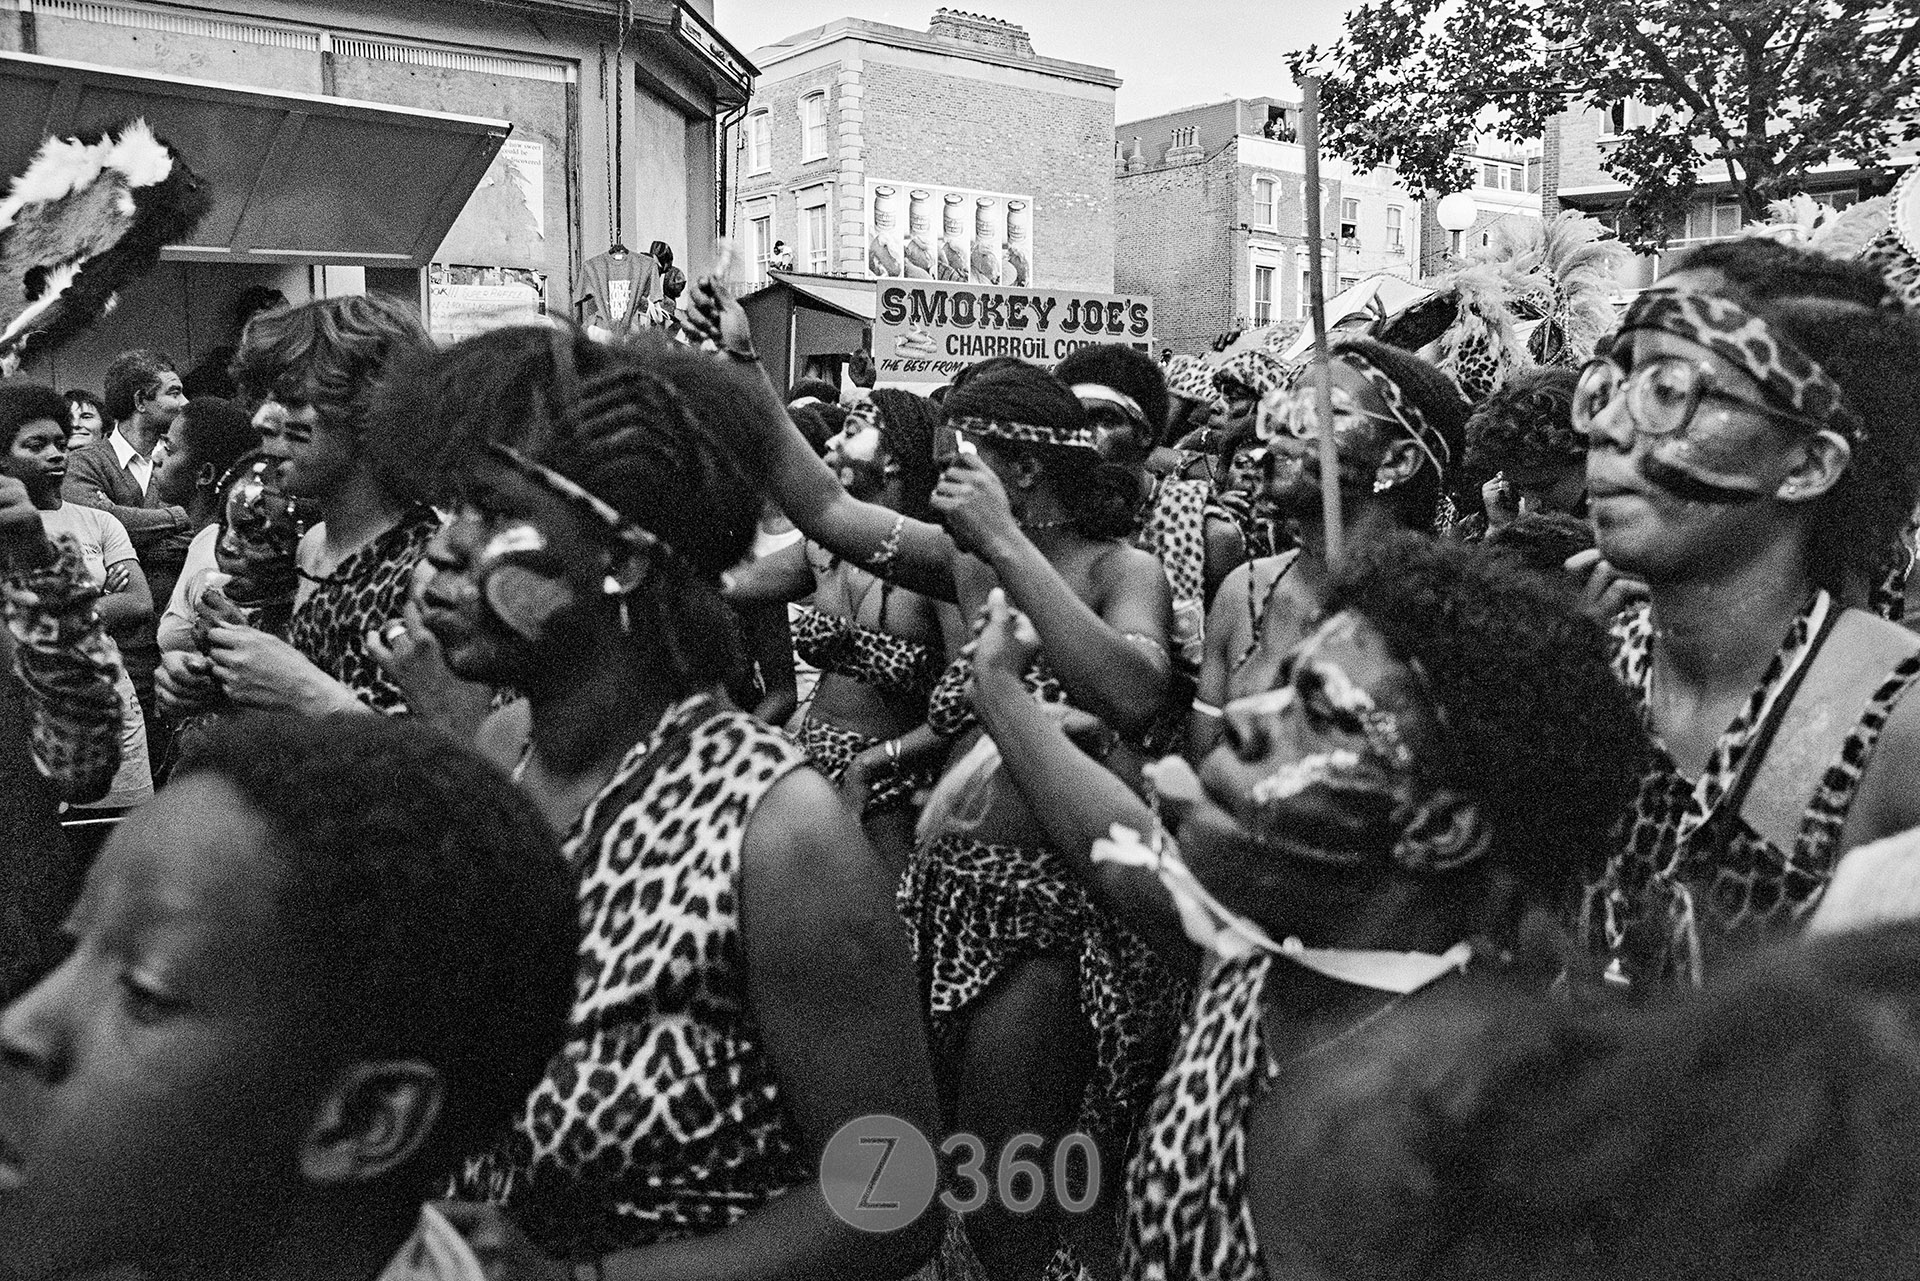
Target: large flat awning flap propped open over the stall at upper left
[297,178]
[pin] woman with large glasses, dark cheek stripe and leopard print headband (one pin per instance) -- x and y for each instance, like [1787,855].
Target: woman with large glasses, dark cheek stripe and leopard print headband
[1750,462]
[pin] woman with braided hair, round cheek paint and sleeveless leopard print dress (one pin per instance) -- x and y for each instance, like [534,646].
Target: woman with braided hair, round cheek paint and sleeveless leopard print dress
[744,986]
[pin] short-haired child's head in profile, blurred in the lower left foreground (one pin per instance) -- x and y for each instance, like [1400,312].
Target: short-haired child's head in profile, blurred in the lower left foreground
[327,961]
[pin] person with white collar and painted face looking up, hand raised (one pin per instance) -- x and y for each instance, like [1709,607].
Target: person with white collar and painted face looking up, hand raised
[1447,750]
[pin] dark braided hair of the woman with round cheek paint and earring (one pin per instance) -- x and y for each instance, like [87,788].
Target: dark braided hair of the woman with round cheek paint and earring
[633,423]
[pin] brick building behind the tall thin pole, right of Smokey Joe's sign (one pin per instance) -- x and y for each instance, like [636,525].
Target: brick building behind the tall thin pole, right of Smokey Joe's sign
[1211,220]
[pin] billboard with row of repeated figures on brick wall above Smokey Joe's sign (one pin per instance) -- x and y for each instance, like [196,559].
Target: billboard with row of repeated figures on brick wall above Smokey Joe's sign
[919,231]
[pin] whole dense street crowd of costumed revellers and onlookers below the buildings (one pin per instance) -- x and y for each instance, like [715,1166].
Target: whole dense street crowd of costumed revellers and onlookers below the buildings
[516,810]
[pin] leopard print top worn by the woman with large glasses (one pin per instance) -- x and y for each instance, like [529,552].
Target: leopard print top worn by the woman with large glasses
[1692,877]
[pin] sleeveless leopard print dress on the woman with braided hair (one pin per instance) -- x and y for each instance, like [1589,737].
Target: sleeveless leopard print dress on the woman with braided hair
[661,1117]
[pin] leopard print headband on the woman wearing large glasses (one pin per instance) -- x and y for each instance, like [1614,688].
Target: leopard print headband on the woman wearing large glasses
[1787,375]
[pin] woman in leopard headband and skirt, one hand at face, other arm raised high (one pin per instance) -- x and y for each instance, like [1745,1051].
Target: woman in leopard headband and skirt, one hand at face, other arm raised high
[1036,996]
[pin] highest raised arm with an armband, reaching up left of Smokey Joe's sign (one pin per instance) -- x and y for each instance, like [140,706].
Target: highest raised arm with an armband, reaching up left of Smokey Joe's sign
[909,552]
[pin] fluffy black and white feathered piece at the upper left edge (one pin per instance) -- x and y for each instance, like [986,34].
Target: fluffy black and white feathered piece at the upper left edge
[80,224]
